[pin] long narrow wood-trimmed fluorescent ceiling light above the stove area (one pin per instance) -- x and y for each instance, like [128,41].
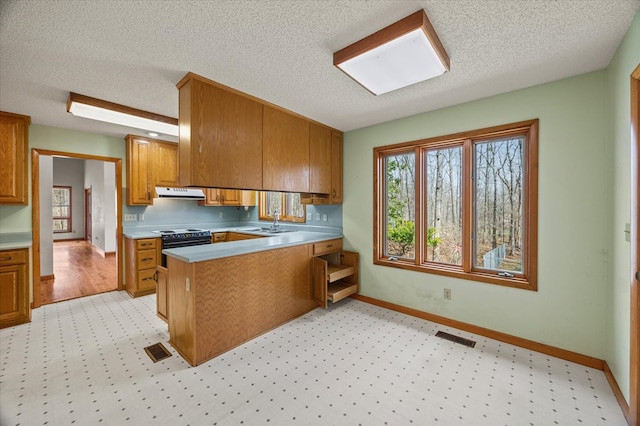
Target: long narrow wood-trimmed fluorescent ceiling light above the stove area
[109,112]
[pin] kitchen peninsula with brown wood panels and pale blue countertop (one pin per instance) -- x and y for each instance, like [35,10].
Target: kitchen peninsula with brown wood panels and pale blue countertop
[222,295]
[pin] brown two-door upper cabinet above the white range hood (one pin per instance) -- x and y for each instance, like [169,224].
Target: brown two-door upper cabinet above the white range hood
[150,163]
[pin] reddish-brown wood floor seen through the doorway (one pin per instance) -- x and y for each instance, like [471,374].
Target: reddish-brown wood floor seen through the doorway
[79,270]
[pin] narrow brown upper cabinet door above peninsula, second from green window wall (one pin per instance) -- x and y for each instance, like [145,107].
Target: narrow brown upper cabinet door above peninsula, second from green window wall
[319,159]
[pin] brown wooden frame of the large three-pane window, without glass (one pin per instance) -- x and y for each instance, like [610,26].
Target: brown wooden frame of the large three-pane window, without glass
[528,278]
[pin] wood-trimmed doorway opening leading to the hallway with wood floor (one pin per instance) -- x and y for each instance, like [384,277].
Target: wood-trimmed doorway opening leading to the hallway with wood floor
[81,267]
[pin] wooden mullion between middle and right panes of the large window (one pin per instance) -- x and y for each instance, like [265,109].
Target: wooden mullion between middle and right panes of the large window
[468,184]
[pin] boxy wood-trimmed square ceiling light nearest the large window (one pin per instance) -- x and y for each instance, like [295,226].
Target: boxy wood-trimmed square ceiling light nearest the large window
[402,54]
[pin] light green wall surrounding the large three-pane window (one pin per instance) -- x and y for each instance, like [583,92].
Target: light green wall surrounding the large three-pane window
[571,307]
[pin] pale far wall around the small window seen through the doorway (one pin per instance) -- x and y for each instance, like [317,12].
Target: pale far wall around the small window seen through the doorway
[69,172]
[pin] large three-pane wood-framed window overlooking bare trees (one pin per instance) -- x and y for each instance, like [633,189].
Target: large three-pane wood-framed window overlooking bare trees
[461,205]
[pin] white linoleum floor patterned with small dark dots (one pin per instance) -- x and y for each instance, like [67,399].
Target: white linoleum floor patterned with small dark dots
[82,362]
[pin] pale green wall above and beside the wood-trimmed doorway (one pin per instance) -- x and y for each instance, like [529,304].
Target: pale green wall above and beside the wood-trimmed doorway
[18,218]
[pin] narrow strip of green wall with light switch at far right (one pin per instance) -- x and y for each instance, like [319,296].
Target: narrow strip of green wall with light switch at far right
[626,59]
